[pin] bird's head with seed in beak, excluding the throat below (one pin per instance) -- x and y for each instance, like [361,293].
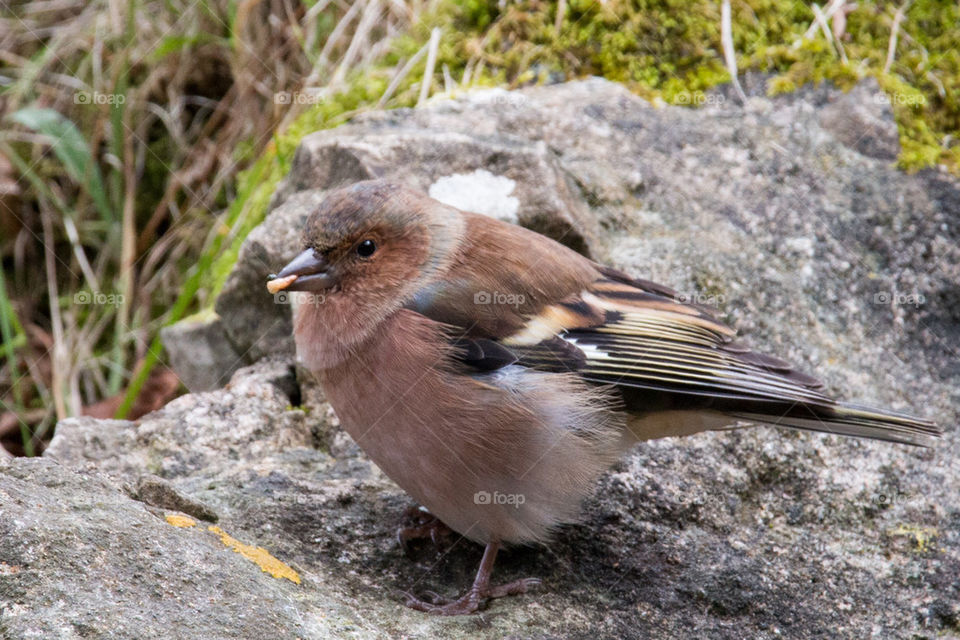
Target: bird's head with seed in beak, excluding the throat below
[374,240]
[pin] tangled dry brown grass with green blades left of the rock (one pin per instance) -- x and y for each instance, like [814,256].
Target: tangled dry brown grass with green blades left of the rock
[125,125]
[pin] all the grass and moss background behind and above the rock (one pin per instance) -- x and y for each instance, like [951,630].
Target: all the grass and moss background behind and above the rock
[141,140]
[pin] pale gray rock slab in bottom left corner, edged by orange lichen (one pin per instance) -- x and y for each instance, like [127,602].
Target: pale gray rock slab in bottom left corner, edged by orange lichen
[80,559]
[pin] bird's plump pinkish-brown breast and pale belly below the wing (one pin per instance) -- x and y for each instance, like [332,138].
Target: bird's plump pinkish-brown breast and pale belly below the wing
[502,456]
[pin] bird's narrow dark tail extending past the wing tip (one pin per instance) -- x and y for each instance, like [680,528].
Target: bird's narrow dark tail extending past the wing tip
[854,420]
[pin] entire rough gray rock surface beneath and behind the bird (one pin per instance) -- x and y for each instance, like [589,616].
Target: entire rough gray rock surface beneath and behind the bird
[815,246]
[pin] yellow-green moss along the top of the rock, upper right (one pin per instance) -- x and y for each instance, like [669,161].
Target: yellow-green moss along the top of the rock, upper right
[671,49]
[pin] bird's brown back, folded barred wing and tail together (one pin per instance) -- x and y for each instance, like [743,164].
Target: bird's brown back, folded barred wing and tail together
[514,296]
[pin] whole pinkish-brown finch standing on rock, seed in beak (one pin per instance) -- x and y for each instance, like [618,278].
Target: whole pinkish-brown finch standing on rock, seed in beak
[494,374]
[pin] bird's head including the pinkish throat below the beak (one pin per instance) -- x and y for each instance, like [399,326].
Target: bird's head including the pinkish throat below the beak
[367,250]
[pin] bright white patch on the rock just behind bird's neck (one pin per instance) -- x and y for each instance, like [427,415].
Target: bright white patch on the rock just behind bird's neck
[480,192]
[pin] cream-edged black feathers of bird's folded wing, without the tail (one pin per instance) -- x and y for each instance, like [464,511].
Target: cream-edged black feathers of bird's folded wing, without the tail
[642,336]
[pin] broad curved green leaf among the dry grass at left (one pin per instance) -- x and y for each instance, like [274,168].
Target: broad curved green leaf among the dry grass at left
[72,149]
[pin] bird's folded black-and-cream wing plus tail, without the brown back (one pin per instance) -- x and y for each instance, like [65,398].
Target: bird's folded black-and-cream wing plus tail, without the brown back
[664,354]
